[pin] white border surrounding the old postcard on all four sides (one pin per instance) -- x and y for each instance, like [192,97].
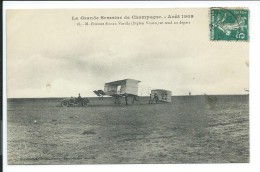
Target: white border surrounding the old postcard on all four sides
[253,166]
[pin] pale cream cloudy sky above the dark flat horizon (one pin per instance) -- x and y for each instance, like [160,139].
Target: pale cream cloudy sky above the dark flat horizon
[48,55]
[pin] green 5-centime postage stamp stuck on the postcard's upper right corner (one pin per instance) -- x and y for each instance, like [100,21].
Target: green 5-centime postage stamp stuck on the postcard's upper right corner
[229,24]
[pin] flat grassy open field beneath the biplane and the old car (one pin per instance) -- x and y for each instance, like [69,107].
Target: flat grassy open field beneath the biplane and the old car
[191,129]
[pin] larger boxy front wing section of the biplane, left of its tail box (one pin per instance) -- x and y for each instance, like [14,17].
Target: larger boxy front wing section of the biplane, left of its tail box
[120,89]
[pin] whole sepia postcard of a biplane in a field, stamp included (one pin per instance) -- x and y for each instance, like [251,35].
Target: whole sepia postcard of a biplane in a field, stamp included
[128,86]
